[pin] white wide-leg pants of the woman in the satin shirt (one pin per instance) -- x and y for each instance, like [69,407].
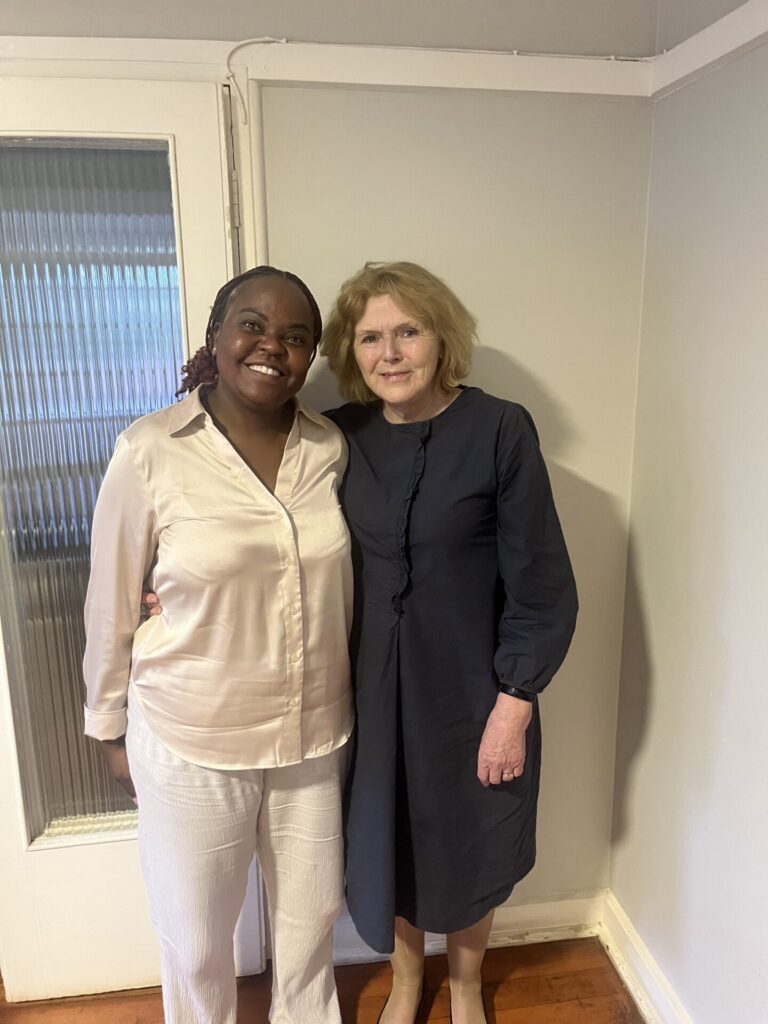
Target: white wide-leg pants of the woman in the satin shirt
[199,829]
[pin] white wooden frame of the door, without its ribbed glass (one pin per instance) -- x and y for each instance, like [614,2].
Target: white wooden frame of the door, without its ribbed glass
[73,911]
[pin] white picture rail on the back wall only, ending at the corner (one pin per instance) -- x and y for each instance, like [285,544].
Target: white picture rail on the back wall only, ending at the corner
[321,64]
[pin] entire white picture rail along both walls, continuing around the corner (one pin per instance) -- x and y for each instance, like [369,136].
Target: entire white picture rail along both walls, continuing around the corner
[388,67]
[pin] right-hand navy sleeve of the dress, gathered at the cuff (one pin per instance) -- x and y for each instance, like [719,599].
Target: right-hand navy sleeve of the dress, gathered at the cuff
[540,598]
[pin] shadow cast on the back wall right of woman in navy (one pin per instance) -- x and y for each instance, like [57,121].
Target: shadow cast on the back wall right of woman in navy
[584,714]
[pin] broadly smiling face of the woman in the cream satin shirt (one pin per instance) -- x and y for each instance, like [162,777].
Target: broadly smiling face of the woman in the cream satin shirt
[264,345]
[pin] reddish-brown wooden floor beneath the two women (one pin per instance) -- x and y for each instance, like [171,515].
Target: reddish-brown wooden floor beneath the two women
[570,983]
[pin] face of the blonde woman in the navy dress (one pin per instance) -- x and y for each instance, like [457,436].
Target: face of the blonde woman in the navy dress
[398,358]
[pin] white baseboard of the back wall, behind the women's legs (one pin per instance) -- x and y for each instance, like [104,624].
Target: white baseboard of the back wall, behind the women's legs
[515,924]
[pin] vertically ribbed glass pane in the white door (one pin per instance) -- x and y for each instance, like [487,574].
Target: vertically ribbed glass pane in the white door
[92,339]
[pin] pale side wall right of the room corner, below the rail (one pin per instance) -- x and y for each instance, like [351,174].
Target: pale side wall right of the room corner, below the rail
[692,801]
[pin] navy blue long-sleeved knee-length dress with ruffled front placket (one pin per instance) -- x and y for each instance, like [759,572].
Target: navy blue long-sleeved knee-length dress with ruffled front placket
[462,580]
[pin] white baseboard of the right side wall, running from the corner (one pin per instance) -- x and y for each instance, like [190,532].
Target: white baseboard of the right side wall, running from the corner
[642,974]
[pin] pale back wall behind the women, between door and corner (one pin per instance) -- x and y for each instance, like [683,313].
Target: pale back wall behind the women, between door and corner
[533,208]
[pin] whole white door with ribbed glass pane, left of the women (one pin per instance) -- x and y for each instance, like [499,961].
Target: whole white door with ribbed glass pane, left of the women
[97,317]
